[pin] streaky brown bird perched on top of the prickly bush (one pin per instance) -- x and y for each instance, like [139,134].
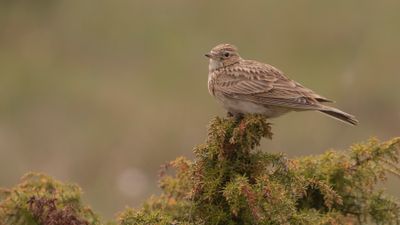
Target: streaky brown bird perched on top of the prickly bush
[251,87]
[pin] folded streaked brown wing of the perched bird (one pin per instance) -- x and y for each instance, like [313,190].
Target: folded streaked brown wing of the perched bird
[264,84]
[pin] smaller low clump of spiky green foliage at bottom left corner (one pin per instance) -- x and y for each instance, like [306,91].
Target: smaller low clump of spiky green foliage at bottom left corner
[41,200]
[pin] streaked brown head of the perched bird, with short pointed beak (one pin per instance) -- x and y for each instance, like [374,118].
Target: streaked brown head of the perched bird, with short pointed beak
[223,55]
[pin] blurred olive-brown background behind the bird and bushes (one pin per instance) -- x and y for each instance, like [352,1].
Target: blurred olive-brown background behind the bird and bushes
[101,93]
